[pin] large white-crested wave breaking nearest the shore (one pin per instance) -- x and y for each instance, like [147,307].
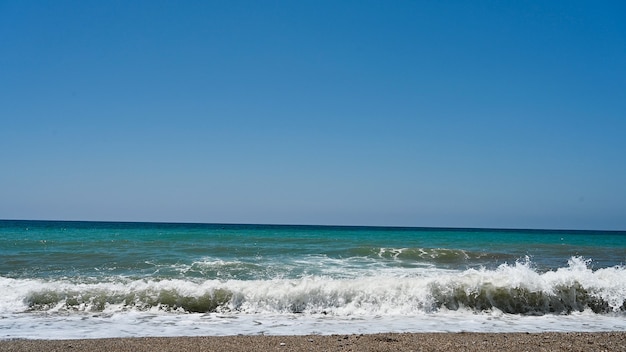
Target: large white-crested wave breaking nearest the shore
[511,288]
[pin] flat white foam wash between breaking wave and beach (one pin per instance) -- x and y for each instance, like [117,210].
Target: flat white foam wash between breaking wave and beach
[134,324]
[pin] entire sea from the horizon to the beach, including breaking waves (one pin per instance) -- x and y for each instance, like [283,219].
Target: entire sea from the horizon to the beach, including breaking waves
[102,279]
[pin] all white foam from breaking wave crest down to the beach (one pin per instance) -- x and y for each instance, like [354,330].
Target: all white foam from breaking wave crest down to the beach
[398,300]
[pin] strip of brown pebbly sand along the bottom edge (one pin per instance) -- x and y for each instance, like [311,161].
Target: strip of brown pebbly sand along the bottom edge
[611,341]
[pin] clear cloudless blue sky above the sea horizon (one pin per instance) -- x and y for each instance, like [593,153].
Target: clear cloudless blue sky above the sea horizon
[506,114]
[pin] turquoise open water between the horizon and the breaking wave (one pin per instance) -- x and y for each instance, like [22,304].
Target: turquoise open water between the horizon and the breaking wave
[96,250]
